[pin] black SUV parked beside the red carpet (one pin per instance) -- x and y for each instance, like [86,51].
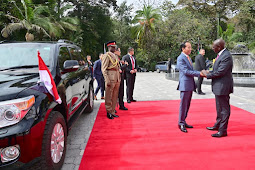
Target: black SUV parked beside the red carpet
[31,124]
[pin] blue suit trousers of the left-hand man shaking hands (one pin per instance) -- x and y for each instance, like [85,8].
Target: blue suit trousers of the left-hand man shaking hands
[184,106]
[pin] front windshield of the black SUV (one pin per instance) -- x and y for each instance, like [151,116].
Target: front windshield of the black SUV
[24,55]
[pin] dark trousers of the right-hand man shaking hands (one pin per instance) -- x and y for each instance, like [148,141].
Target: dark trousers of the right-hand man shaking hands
[223,112]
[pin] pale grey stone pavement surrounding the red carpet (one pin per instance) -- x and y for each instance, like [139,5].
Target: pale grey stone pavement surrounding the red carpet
[149,86]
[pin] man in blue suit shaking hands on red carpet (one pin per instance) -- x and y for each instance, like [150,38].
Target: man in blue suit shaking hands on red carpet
[186,83]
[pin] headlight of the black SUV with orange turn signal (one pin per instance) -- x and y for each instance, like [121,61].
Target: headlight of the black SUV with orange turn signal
[13,111]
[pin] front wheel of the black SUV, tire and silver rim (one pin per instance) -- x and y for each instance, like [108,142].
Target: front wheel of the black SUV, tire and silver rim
[55,128]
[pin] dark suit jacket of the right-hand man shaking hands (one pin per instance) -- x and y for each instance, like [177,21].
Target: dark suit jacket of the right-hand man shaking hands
[222,80]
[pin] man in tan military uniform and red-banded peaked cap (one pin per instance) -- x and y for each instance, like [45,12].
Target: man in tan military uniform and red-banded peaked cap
[110,70]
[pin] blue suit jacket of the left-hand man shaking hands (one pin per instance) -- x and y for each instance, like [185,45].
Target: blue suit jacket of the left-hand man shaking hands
[186,74]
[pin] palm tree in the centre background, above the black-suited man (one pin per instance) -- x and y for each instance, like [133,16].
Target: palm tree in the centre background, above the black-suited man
[145,20]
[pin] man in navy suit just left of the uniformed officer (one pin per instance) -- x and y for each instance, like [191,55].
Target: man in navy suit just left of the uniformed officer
[97,72]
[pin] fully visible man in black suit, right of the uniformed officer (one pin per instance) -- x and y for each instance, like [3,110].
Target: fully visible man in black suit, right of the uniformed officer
[131,70]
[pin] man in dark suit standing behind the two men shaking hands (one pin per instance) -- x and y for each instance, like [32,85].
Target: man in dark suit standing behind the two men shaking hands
[199,66]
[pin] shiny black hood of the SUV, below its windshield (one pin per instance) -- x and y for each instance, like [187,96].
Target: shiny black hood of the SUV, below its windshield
[13,82]
